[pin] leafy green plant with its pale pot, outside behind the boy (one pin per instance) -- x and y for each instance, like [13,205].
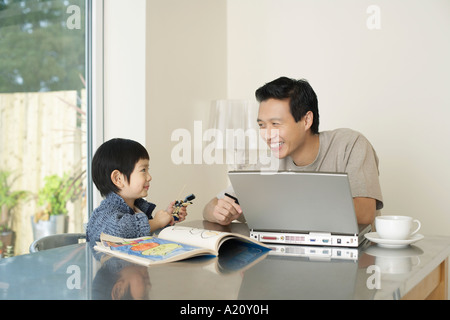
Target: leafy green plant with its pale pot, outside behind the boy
[51,216]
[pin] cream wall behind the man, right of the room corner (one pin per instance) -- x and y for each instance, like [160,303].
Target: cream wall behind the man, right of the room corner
[392,83]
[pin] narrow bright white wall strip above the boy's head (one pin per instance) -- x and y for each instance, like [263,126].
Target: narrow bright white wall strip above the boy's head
[124,70]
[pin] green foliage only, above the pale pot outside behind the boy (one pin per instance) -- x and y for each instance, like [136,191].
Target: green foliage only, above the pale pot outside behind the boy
[56,193]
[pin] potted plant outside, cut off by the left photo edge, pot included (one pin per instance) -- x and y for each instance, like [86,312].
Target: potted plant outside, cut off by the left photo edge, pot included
[8,202]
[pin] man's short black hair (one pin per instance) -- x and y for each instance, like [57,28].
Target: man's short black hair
[301,95]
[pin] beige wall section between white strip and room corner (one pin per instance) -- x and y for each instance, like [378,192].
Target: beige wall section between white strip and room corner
[186,70]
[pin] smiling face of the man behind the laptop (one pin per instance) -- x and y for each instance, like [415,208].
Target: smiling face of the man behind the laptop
[278,128]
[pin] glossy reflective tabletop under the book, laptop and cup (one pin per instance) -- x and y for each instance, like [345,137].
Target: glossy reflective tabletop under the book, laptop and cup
[239,272]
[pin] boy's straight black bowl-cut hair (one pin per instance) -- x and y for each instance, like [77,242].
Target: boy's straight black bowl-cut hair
[115,154]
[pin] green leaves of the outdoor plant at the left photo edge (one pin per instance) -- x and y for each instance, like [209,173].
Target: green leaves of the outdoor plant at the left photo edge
[9,199]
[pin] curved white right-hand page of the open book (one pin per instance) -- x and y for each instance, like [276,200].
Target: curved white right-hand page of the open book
[193,236]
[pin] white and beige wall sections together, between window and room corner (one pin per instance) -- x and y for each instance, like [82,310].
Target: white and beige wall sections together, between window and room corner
[164,63]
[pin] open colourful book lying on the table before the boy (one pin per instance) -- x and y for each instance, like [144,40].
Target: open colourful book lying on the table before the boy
[173,244]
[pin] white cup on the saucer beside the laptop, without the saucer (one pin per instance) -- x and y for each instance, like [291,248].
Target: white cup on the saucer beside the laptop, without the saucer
[395,227]
